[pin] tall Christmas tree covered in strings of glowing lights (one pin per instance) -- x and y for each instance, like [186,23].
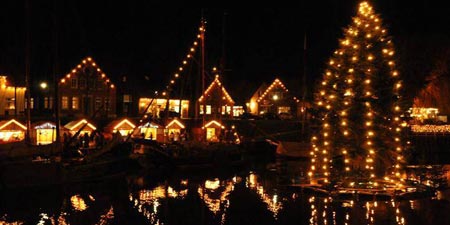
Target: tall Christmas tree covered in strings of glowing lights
[358,104]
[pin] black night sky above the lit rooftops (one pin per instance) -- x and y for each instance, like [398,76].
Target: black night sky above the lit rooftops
[139,39]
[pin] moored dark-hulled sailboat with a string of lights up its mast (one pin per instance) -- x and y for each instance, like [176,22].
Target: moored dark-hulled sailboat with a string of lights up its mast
[209,145]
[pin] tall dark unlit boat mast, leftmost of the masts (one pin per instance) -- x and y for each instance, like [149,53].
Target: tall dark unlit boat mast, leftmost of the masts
[27,70]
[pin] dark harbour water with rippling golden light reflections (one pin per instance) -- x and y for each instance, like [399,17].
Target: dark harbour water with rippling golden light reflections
[257,194]
